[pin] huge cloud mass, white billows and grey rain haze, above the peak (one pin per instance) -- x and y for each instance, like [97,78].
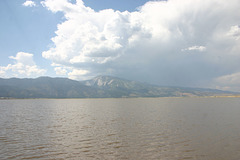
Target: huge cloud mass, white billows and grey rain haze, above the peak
[149,44]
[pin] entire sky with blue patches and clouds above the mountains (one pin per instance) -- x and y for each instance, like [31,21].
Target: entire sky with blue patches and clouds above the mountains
[190,43]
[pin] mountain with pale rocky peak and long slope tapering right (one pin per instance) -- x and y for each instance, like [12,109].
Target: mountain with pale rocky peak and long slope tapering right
[126,88]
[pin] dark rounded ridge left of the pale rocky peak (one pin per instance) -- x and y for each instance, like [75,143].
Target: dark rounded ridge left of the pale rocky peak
[45,87]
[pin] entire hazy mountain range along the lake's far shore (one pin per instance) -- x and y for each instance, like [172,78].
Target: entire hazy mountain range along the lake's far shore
[98,87]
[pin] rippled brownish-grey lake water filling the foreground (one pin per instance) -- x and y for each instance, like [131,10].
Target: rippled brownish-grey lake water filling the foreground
[140,128]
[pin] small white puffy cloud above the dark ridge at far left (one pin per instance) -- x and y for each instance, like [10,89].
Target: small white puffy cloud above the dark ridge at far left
[24,66]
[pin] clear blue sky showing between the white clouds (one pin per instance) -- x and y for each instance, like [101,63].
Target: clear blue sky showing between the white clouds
[30,28]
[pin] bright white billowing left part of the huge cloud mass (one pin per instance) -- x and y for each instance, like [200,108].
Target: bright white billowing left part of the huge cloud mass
[91,37]
